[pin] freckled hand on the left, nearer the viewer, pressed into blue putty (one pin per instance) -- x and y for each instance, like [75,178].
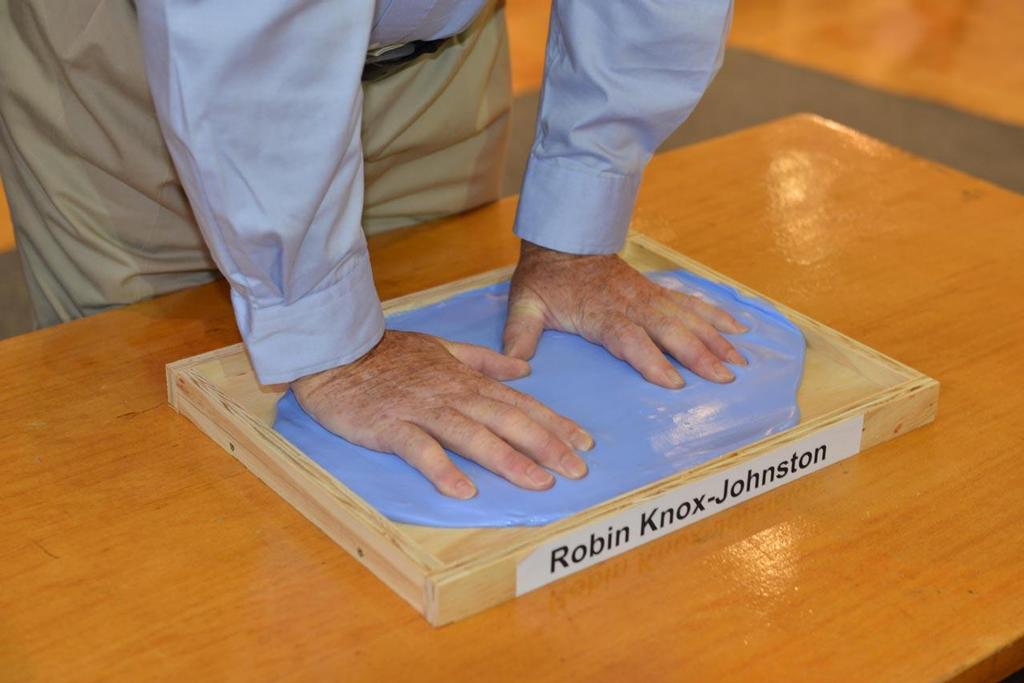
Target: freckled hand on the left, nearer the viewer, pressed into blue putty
[414,394]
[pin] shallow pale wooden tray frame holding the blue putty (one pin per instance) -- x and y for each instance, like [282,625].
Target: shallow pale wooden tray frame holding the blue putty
[450,574]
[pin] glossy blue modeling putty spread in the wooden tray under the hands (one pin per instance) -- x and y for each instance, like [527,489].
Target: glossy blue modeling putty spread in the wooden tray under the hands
[643,433]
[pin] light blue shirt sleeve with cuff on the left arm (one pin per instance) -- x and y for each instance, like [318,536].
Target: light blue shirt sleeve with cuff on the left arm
[261,105]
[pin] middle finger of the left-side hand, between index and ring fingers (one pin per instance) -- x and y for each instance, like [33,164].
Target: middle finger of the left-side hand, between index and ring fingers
[528,437]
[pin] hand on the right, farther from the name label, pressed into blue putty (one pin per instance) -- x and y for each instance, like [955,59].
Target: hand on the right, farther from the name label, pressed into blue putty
[607,302]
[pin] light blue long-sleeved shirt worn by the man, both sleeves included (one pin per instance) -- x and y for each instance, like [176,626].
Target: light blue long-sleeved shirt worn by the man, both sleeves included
[261,104]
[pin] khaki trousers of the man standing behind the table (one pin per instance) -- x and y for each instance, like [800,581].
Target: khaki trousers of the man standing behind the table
[101,219]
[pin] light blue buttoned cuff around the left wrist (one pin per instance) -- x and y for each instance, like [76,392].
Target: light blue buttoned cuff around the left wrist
[328,328]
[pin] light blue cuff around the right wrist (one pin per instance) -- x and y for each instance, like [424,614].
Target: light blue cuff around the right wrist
[573,209]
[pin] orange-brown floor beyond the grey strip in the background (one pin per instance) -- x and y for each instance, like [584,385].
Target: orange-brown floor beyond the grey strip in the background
[965,54]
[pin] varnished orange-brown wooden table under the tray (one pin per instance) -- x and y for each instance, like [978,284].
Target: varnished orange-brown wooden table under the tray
[132,547]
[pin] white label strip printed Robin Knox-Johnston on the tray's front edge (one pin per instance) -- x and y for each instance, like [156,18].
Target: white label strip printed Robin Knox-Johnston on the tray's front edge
[671,511]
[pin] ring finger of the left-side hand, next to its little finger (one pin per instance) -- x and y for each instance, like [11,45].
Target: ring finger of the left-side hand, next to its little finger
[474,441]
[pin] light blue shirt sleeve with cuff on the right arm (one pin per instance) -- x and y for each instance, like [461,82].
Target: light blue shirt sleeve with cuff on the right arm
[620,77]
